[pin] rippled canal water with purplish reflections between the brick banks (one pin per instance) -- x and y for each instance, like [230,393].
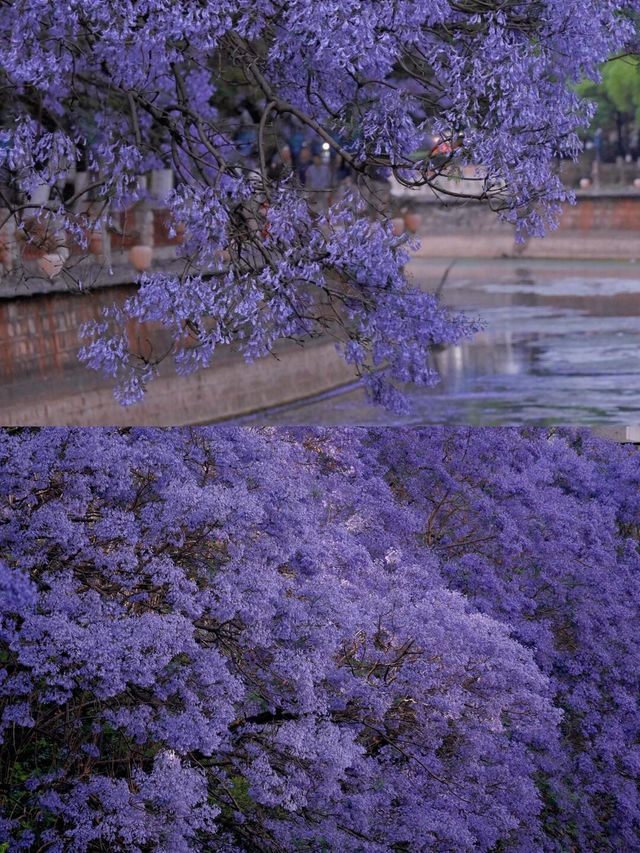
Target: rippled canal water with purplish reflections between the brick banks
[561,345]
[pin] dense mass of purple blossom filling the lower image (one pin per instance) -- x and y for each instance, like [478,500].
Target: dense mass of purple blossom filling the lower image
[350,640]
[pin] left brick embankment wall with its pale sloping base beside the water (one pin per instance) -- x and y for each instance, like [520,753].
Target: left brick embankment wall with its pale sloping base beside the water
[43,383]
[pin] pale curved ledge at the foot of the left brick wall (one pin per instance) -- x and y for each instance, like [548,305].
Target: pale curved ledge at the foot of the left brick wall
[230,388]
